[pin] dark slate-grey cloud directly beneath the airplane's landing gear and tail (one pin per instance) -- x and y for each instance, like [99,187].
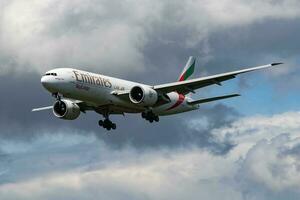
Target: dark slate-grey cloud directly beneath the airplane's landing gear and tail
[174,131]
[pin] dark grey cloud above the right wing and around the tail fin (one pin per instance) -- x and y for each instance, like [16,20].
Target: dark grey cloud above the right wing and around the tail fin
[229,48]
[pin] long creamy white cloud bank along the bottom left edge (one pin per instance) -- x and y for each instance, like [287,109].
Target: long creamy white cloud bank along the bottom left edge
[152,175]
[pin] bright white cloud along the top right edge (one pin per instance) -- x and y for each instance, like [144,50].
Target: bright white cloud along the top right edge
[240,12]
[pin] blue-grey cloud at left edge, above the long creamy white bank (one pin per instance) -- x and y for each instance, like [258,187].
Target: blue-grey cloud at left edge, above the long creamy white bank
[49,153]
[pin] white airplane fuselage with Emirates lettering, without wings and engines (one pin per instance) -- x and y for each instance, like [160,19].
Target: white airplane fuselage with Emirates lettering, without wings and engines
[98,90]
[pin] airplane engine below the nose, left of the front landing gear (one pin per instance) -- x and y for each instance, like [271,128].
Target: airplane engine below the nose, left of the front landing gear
[66,109]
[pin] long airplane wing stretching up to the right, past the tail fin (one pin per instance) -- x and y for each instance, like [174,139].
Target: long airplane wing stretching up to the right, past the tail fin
[187,86]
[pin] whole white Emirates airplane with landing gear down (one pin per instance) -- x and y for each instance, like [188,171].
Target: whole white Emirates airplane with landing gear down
[79,91]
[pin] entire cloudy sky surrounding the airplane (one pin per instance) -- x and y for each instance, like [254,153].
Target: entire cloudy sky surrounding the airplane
[243,148]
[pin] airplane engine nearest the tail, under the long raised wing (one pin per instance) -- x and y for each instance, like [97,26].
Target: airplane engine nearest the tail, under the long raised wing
[143,95]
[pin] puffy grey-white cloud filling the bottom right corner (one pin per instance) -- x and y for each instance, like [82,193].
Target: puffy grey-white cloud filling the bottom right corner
[270,170]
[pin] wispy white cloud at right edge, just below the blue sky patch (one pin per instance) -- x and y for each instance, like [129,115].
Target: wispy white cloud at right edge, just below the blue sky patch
[252,129]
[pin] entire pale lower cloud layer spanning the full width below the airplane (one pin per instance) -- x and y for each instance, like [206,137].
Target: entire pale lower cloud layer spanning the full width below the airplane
[263,165]
